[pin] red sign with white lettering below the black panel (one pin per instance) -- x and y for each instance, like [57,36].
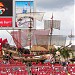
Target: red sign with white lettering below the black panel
[5,22]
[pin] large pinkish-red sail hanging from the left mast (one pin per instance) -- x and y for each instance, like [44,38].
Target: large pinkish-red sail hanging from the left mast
[26,35]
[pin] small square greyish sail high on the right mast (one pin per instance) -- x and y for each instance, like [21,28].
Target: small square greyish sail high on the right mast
[48,24]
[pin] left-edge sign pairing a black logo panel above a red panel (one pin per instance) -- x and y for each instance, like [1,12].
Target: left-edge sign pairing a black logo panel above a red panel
[6,13]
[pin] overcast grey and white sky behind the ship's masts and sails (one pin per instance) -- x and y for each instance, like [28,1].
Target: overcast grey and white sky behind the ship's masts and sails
[62,10]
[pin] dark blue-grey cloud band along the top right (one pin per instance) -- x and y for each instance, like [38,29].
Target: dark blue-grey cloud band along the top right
[54,4]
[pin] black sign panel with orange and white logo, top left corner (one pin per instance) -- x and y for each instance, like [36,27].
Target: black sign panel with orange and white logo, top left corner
[6,8]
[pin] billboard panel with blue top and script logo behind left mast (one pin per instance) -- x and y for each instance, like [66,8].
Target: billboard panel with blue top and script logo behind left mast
[24,7]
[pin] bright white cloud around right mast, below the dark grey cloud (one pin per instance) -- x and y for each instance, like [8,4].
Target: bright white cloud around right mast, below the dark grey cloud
[65,15]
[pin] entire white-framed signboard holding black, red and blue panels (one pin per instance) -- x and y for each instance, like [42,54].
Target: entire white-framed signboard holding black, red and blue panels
[9,9]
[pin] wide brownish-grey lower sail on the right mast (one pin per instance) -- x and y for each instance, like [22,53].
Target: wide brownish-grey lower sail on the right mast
[58,40]
